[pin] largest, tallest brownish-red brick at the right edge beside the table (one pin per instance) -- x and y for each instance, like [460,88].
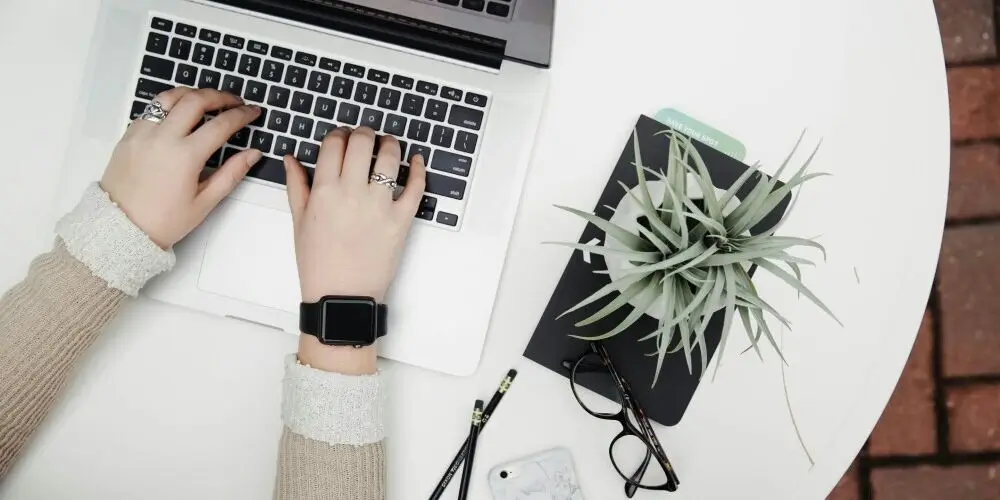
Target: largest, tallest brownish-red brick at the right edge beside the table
[970,293]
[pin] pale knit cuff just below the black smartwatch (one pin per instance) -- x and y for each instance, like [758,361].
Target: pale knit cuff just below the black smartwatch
[332,407]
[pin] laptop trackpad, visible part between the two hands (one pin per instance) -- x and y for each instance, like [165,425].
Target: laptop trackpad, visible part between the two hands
[251,256]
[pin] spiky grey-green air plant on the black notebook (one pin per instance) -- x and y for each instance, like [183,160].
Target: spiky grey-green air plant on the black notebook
[689,258]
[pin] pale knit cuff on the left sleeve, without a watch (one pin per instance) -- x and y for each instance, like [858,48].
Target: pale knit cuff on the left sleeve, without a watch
[101,236]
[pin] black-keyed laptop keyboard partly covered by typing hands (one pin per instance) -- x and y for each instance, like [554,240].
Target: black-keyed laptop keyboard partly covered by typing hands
[305,94]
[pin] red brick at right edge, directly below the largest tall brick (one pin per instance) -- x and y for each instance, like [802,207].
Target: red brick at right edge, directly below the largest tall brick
[974,418]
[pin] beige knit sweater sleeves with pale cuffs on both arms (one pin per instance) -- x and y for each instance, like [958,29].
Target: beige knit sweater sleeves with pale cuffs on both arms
[331,447]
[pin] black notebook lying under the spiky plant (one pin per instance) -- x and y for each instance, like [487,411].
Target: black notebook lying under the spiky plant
[551,343]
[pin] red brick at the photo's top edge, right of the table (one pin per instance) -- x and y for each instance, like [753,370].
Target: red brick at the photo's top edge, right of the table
[966,29]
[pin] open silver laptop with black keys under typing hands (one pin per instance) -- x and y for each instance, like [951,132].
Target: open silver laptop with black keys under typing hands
[462,82]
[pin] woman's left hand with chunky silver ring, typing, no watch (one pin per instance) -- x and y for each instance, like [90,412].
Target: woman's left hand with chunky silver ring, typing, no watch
[154,171]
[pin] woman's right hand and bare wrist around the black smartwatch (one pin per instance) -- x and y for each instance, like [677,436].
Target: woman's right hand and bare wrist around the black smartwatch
[349,233]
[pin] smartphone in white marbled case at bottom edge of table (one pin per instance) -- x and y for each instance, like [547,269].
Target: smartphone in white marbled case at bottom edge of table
[548,475]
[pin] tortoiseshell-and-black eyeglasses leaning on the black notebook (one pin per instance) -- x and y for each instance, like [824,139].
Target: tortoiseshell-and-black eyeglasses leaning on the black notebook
[635,452]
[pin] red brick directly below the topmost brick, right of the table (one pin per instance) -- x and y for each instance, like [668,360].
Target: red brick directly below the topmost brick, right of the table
[974,94]
